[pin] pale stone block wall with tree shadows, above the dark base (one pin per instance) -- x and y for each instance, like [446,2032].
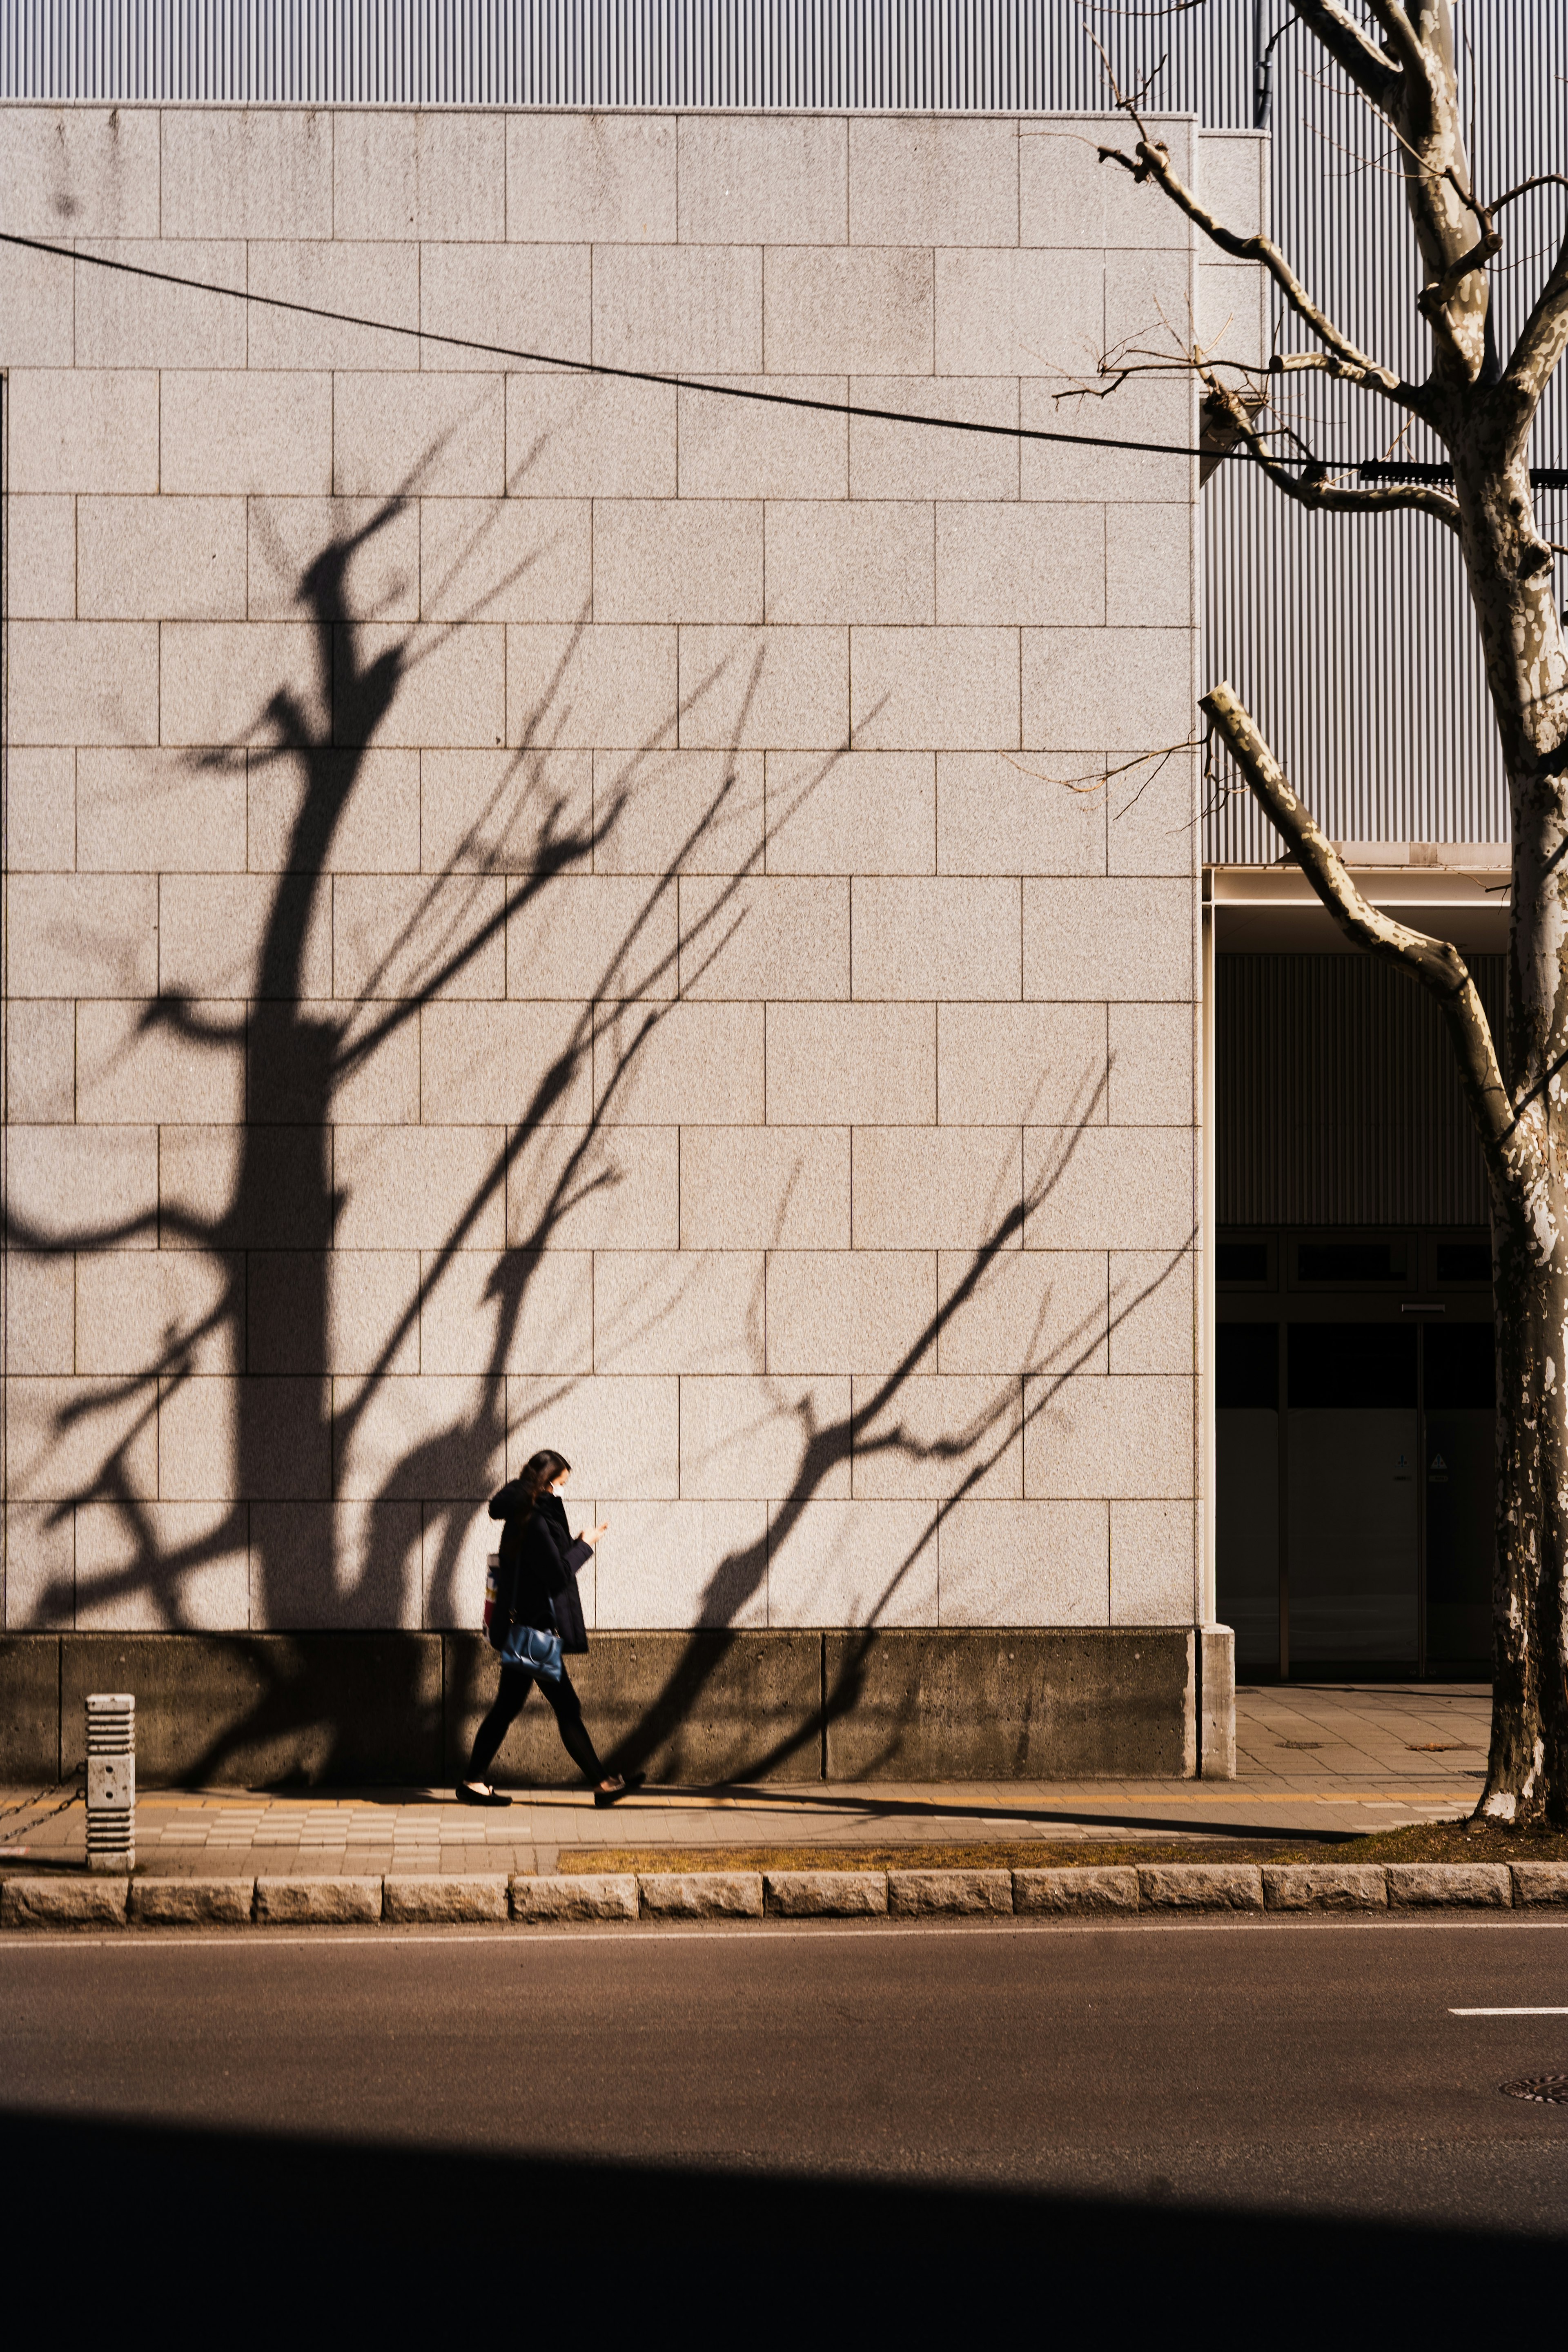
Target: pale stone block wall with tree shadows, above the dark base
[558,909]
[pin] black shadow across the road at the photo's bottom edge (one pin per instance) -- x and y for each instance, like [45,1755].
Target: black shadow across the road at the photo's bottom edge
[349,2226]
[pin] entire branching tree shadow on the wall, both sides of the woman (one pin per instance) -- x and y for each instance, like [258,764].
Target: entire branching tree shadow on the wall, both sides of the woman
[337,1525]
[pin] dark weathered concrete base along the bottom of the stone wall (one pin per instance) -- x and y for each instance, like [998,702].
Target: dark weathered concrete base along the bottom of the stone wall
[401,1709]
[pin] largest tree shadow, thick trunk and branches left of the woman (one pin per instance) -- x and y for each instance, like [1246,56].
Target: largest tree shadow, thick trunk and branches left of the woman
[269,1241]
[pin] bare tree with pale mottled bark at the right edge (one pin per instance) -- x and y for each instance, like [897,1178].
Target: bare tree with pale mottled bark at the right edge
[1482,410]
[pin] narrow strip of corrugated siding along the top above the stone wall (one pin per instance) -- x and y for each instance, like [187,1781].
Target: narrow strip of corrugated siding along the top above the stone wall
[946,55]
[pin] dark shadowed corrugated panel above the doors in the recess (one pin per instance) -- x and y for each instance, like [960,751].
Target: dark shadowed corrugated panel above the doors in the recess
[1336,1097]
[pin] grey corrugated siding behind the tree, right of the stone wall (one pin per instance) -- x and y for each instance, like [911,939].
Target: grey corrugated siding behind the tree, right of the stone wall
[1353,639]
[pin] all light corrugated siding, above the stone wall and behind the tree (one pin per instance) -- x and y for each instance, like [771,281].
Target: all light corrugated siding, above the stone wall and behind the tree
[1351,639]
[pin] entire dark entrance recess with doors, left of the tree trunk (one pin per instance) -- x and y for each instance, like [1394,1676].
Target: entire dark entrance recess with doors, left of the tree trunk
[1355,1325]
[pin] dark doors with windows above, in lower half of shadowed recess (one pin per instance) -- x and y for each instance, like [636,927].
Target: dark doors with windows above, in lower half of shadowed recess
[1355,1424]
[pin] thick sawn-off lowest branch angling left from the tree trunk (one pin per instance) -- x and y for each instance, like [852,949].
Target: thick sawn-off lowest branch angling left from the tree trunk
[1435,963]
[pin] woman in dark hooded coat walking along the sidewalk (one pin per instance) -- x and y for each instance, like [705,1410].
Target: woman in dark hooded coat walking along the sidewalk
[537,1622]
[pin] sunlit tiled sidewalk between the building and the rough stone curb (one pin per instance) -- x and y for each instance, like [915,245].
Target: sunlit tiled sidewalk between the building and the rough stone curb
[1308,1758]
